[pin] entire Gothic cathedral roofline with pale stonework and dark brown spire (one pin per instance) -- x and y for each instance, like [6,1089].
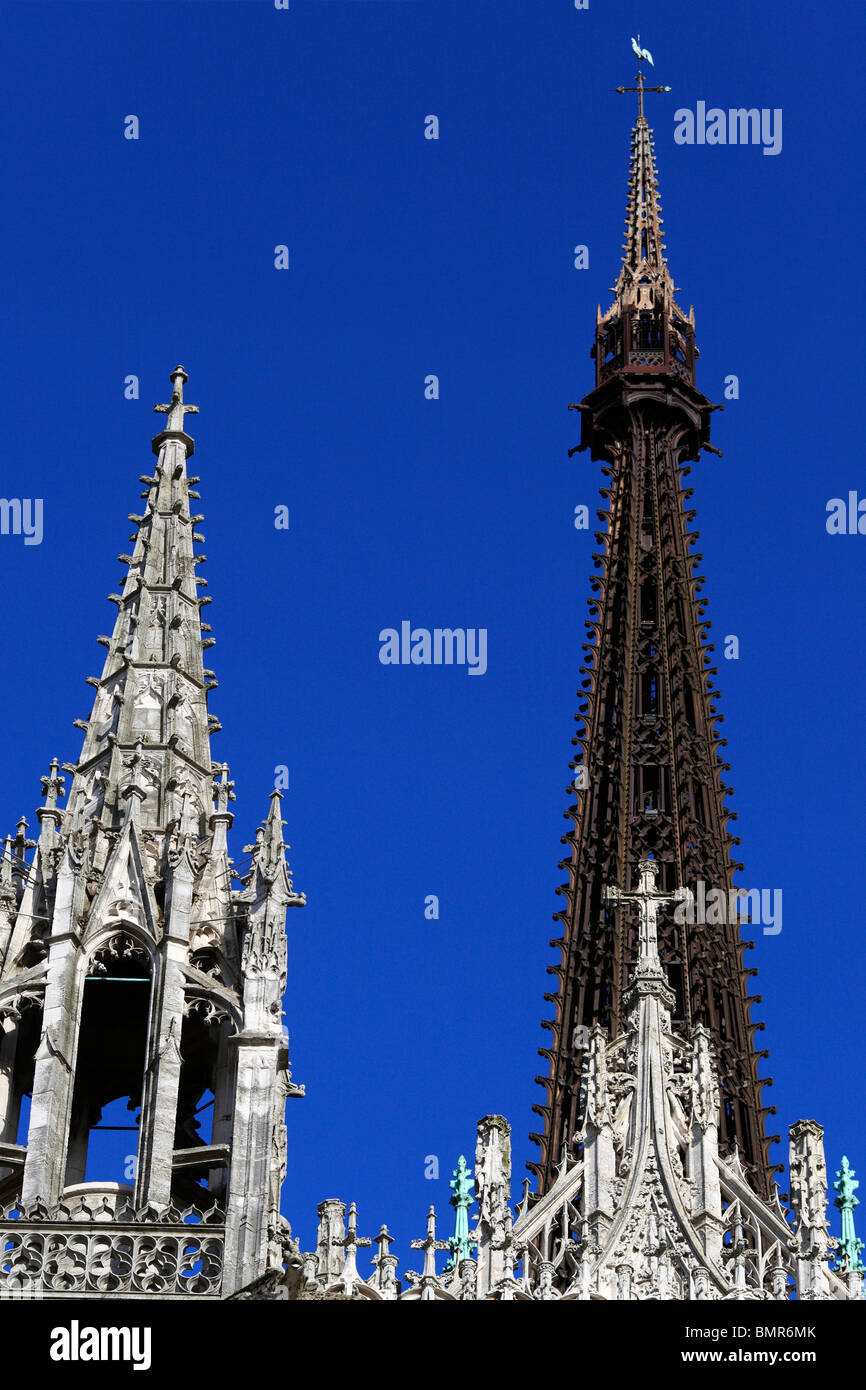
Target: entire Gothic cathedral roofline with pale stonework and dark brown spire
[140,963]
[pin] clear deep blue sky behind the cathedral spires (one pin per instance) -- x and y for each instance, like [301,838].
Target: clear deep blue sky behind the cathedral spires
[454,258]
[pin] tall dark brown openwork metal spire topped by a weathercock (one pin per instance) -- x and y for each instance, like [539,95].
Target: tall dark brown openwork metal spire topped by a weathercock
[650,787]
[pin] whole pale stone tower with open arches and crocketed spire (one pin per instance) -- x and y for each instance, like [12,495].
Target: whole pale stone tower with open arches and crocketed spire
[133,885]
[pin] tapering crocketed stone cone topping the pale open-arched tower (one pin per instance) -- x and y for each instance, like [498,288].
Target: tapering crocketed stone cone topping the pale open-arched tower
[154,687]
